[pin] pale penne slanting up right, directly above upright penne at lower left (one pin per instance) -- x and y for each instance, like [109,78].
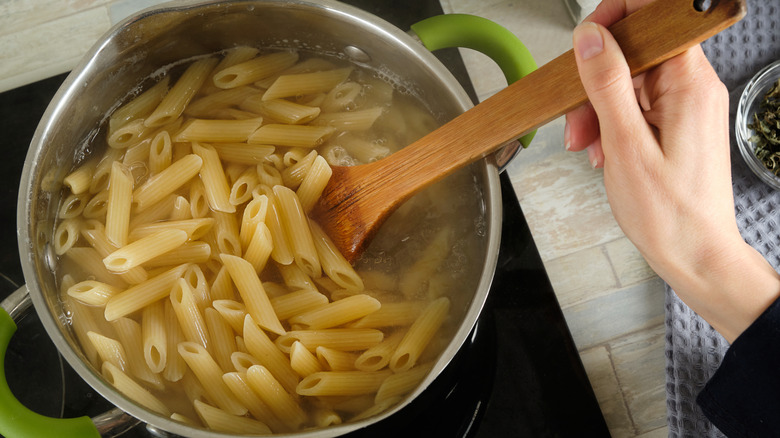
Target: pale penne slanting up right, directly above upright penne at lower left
[143,294]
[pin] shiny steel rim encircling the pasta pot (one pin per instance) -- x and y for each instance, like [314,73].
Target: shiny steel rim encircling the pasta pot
[69,92]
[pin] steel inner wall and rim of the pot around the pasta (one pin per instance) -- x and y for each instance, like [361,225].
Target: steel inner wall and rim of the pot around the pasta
[143,45]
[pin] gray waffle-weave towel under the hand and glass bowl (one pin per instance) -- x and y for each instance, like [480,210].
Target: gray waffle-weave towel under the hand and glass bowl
[693,349]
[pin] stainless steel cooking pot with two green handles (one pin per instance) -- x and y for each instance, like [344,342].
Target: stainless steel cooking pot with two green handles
[142,44]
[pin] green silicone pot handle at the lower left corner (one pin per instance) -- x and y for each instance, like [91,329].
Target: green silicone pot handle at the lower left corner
[18,421]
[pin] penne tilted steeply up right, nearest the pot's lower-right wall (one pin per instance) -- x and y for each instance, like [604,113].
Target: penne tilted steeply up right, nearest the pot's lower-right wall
[419,335]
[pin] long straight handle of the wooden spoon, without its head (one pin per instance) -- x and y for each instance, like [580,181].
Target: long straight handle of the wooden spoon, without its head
[649,36]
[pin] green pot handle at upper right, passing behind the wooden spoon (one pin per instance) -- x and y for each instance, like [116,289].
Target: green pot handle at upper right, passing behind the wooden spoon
[482,35]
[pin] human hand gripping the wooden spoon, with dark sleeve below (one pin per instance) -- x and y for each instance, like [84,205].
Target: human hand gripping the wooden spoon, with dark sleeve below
[663,141]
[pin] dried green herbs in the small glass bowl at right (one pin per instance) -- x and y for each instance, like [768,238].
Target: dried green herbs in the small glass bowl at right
[766,125]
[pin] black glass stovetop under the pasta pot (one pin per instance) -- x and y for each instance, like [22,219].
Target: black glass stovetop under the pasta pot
[519,374]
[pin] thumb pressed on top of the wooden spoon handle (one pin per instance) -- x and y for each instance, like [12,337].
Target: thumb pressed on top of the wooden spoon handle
[607,81]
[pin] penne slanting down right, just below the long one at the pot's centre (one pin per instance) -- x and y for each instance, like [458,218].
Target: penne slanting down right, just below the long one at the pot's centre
[261,347]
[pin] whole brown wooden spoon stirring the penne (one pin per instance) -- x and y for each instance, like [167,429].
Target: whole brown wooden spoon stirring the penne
[358,199]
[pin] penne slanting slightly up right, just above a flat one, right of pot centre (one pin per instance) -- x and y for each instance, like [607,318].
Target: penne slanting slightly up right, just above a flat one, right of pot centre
[337,312]
